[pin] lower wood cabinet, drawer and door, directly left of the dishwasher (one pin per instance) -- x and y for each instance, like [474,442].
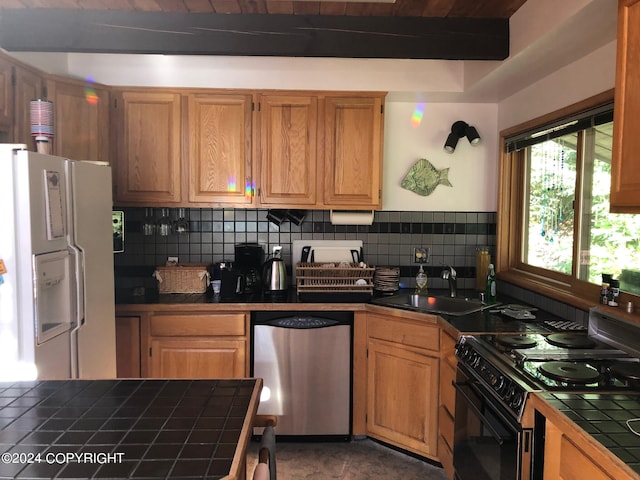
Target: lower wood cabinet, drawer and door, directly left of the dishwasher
[197,345]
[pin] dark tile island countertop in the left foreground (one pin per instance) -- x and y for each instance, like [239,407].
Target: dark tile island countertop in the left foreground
[149,429]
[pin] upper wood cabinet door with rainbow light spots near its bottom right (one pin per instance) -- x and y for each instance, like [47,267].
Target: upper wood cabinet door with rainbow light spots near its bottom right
[220,149]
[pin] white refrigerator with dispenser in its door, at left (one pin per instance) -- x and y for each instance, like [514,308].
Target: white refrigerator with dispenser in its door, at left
[57,312]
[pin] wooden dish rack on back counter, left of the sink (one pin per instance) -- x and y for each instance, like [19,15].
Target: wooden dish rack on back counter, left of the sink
[334,278]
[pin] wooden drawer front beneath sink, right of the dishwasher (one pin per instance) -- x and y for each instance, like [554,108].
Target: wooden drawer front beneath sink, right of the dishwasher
[412,334]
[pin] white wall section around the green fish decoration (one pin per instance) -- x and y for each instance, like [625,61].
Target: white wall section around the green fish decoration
[472,169]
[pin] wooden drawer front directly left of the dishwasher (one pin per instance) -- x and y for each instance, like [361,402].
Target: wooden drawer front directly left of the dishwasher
[198,325]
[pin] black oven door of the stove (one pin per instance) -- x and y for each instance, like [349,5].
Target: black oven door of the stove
[489,444]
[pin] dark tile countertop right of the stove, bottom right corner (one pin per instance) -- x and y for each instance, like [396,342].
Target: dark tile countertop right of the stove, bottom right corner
[604,416]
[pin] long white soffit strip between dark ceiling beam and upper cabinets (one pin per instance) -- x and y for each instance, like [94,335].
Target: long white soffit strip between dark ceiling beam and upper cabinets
[284,73]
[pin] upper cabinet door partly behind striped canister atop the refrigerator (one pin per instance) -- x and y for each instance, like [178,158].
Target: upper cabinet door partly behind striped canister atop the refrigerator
[29,86]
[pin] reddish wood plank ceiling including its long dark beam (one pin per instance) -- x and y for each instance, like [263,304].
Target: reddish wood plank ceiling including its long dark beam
[425,29]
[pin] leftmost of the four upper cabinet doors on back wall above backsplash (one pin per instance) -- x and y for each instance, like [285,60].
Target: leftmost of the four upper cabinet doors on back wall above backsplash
[149,148]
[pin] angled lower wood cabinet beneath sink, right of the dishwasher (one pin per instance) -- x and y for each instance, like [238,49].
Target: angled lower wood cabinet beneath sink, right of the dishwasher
[402,383]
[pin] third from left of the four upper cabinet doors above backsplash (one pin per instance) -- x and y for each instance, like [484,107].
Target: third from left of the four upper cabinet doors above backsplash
[288,126]
